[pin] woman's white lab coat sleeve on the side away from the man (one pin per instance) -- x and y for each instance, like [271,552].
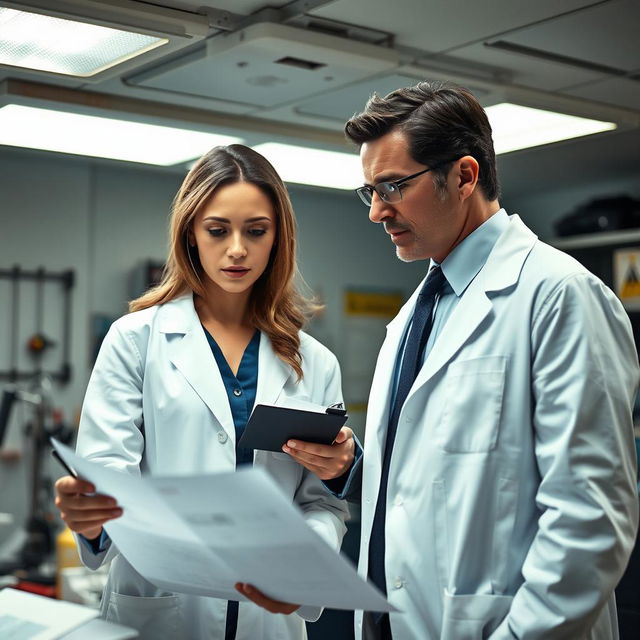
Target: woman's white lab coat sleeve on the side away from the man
[111,420]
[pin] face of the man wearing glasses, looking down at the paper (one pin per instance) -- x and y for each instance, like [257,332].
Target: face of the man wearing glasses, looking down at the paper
[426,223]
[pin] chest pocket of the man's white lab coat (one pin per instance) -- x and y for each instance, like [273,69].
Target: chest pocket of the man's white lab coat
[472,405]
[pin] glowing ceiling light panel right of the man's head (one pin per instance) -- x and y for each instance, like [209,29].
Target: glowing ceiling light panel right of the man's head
[517,127]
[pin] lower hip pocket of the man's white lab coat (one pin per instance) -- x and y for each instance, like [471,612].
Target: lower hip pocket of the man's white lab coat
[472,617]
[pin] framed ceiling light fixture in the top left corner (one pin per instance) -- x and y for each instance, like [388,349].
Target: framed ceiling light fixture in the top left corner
[88,39]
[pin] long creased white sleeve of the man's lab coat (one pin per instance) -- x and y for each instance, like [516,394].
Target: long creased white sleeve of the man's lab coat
[584,379]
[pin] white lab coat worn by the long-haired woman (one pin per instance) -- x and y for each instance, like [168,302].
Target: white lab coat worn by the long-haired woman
[156,403]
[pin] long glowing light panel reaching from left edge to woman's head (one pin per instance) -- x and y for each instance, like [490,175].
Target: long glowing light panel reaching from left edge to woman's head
[65,132]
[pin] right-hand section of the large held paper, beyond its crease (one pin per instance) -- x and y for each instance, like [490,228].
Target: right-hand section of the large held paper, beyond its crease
[245,518]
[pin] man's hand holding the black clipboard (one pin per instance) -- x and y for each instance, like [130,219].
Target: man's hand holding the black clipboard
[327,461]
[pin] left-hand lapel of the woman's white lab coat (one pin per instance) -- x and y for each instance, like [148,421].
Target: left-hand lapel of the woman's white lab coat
[191,354]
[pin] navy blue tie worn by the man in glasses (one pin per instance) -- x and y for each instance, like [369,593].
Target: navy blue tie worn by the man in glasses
[411,362]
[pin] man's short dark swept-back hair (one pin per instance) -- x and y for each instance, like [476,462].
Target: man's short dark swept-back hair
[442,122]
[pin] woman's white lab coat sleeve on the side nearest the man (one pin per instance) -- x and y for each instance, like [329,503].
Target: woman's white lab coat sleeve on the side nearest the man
[323,512]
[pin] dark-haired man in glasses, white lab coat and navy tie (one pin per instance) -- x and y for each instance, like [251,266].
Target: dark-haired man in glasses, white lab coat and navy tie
[498,477]
